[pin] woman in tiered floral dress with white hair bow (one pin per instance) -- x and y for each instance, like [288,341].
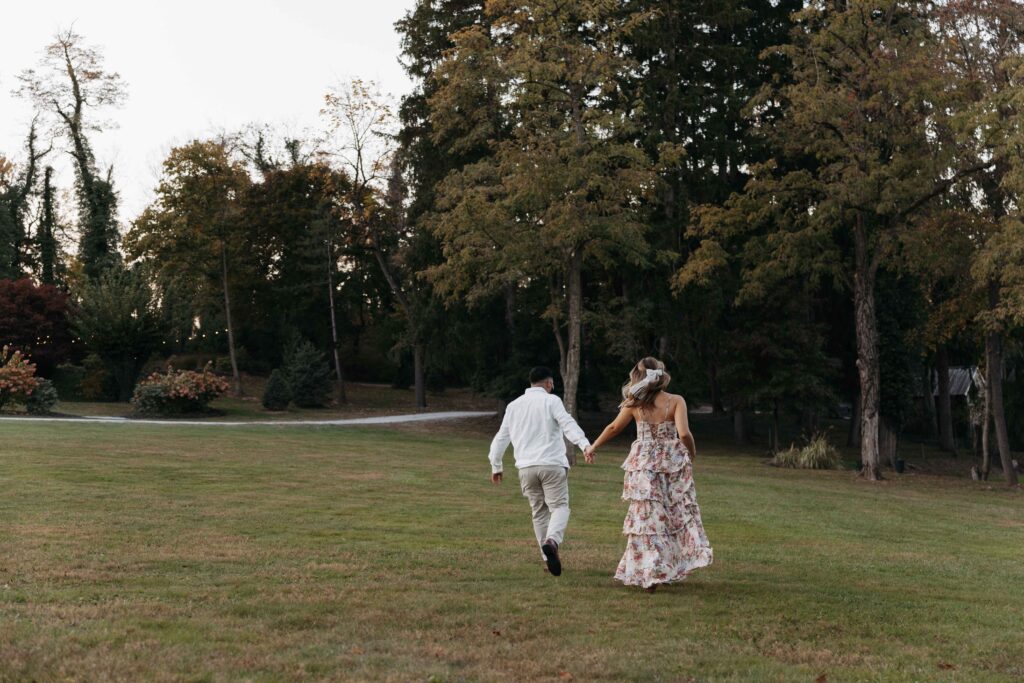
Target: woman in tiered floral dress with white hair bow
[666,539]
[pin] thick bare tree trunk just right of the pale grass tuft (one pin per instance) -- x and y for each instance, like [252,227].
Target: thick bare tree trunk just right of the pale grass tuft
[868,353]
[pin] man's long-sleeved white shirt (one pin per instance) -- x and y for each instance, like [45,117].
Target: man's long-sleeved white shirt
[535,424]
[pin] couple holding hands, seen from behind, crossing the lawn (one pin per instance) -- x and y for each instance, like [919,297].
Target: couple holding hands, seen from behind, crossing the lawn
[665,537]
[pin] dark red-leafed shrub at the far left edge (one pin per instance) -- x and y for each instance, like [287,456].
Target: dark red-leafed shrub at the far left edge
[34,320]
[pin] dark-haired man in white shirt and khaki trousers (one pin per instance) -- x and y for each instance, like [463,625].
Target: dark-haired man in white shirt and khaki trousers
[536,423]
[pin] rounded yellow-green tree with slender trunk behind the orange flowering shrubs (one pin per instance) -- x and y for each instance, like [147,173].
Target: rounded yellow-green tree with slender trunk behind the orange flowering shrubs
[193,233]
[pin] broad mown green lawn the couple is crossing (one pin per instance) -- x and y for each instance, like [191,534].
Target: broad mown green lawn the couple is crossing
[131,552]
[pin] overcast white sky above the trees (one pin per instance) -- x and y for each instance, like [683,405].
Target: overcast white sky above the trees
[198,67]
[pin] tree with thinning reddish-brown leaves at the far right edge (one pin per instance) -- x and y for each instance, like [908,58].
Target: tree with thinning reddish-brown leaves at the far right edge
[984,56]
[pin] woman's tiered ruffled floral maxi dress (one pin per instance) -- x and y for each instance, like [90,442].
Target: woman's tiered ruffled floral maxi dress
[666,538]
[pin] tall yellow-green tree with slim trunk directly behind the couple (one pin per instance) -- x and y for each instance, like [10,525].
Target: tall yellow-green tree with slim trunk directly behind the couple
[566,186]
